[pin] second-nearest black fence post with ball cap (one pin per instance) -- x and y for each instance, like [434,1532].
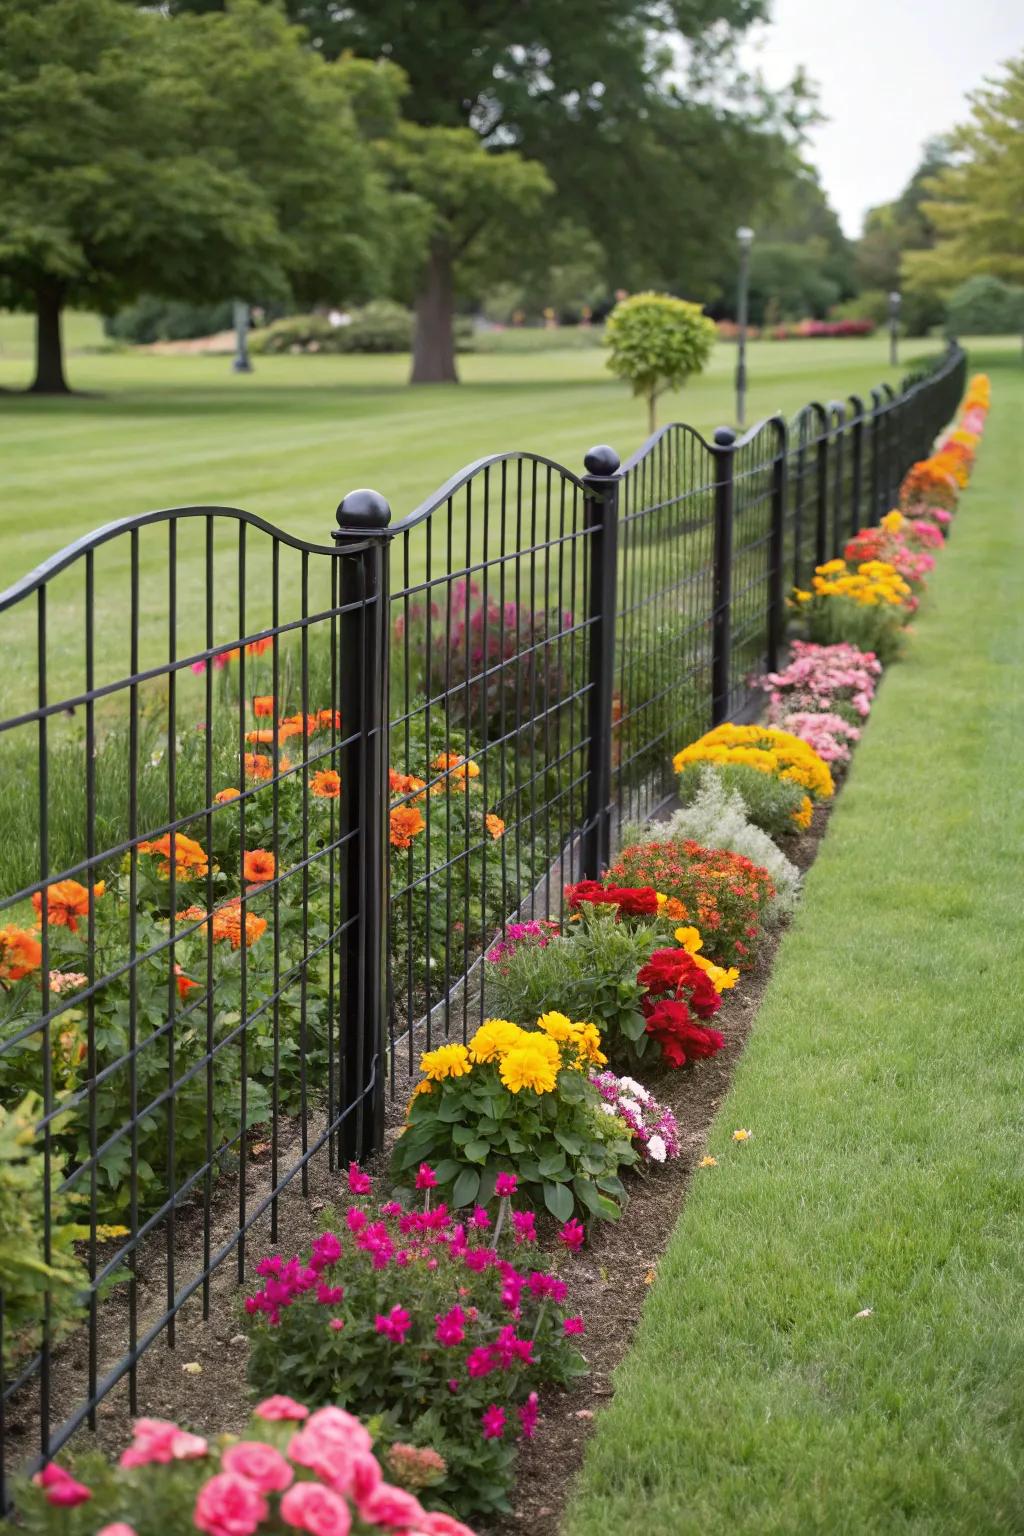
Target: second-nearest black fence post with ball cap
[603,520]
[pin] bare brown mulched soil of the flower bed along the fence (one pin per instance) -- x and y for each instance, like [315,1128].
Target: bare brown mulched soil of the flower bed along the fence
[609,1285]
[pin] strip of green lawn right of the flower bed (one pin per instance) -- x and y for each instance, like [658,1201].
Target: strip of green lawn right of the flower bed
[884,1093]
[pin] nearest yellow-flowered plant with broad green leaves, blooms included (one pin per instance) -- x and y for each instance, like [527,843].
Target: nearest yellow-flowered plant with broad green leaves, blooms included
[520,1102]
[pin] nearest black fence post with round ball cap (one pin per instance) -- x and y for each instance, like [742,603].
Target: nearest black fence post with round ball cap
[365,654]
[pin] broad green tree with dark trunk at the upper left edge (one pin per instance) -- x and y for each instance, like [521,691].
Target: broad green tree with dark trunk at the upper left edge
[197,157]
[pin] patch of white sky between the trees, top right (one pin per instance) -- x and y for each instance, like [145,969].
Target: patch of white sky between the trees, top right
[890,76]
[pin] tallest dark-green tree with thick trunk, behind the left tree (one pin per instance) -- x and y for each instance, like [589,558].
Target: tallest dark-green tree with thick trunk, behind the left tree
[636,110]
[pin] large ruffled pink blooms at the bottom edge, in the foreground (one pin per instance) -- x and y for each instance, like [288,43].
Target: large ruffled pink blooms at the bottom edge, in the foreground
[322,1478]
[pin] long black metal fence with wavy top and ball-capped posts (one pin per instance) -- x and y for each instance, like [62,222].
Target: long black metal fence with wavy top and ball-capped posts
[268,804]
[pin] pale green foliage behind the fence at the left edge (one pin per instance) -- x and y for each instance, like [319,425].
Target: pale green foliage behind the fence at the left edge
[27,1277]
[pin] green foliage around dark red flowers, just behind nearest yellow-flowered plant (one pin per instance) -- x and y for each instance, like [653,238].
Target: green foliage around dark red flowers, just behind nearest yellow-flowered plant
[587,973]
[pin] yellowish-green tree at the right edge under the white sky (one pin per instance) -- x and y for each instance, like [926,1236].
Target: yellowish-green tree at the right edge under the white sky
[977,202]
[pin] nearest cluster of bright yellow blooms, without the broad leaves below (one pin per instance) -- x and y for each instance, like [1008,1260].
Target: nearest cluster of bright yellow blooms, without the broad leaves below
[526,1058]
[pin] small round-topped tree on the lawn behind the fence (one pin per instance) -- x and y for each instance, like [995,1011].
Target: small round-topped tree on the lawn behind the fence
[656,343]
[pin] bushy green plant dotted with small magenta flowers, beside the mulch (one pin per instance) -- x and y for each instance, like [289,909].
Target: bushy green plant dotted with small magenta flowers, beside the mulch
[403,1385]
